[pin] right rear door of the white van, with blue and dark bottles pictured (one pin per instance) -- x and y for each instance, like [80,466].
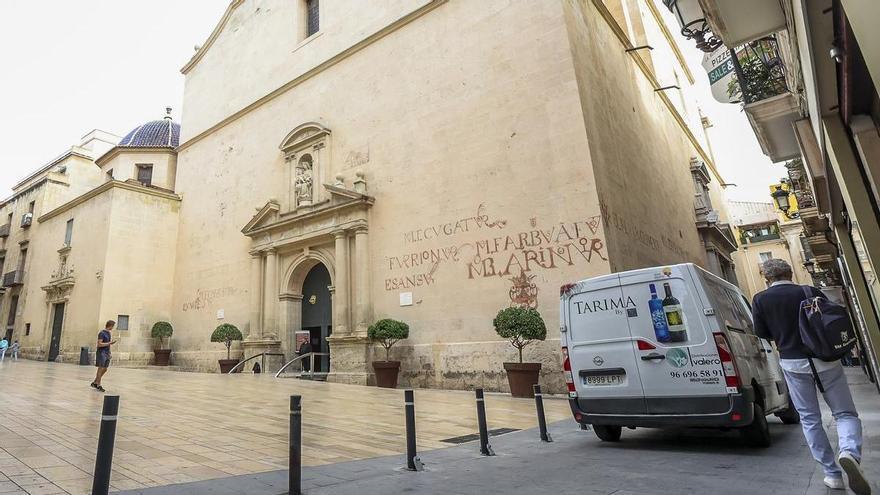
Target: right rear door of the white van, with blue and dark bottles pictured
[681,375]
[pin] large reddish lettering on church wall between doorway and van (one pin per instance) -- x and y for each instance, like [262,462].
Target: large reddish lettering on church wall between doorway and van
[512,255]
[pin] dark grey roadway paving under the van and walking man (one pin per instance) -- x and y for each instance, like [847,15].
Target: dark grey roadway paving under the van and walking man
[645,462]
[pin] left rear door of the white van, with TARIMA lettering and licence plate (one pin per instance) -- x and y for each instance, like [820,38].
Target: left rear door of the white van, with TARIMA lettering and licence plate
[600,349]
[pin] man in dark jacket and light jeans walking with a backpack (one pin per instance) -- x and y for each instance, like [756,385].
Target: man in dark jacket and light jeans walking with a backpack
[808,340]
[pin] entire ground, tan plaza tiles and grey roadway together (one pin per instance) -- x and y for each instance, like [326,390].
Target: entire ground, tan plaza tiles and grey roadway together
[190,434]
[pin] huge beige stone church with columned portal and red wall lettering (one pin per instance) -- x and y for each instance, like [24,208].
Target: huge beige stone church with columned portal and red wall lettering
[431,161]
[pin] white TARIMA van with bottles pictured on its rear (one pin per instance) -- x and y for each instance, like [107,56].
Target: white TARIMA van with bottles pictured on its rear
[668,346]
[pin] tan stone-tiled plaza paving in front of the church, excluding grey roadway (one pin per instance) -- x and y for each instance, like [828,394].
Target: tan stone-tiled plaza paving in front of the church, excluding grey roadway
[185,427]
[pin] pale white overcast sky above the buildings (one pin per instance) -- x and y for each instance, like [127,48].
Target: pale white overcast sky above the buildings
[72,66]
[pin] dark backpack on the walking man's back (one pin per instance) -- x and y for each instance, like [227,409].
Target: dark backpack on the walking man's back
[825,328]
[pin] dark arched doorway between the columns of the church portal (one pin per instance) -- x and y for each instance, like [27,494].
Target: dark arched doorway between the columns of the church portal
[317,311]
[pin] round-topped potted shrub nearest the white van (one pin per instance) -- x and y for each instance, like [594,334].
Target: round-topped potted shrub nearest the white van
[521,326]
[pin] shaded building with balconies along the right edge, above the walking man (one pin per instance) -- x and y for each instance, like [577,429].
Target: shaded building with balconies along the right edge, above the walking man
[808,73]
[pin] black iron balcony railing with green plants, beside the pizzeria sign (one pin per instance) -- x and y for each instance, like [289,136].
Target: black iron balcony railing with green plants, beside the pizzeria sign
[760,72]
